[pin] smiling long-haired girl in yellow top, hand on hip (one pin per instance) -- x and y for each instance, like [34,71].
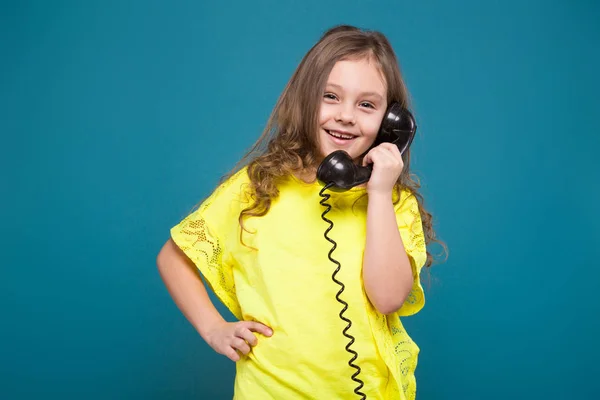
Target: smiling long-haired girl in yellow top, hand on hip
[258,240]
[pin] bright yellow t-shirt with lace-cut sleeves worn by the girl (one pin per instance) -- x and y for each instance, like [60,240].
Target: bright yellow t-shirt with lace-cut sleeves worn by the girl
[281,276]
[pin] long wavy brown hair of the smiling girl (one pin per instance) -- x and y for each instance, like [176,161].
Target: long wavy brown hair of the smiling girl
[289,142]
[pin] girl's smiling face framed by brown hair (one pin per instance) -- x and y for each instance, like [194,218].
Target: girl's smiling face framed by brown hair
[352,107]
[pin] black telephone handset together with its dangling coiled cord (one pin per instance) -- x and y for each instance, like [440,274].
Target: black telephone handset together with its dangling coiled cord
[338,172]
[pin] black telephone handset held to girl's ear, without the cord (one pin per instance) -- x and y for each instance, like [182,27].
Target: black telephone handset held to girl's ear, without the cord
[338,169]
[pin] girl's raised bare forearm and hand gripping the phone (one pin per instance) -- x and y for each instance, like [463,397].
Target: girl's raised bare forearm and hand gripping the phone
[387,273]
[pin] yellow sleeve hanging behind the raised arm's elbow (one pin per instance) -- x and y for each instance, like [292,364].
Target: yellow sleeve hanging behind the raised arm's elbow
[411,232]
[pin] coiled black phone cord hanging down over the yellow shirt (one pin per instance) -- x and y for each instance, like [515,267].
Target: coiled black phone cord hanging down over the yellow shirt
[344,332]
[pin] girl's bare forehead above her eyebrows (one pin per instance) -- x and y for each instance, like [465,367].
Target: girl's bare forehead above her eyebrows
[358,75]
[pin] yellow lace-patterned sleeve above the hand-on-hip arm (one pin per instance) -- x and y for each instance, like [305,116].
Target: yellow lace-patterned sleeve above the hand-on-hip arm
[206,236]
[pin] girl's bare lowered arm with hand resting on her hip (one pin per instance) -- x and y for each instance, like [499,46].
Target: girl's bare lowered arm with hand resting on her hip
[187,290]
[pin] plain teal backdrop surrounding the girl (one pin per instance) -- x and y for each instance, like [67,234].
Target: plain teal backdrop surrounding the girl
[117,117]
